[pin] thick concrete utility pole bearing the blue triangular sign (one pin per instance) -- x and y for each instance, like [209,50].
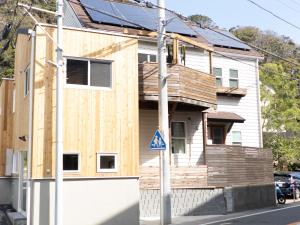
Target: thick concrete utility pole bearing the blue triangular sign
[165,186]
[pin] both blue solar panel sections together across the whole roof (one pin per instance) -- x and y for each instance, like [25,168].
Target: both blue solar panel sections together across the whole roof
[136,16]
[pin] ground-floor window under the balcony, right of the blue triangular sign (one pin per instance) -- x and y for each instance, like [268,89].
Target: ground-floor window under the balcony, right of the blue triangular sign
[178,137]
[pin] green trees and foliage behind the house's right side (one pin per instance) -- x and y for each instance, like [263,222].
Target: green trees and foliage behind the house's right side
[279,94]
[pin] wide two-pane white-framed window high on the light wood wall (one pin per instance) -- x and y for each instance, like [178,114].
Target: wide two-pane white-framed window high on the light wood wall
[88,86]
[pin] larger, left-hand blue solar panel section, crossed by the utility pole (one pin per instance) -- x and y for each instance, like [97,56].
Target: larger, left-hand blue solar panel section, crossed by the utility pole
[119,14]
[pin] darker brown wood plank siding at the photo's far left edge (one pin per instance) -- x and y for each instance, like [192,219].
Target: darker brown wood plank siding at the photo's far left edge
[6,118]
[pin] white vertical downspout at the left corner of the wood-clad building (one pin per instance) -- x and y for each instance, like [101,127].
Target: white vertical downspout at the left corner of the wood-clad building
[30,130]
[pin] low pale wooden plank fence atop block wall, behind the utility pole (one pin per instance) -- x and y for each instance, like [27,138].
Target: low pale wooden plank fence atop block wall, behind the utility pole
[181,177]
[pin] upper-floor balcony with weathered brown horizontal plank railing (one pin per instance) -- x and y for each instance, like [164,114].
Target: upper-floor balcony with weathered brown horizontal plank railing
[185,85]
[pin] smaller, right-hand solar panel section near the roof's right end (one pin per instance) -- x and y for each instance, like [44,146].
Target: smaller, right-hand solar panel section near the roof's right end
[221,40]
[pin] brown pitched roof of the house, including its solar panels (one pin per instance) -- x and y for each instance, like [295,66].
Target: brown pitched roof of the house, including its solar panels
[114,16]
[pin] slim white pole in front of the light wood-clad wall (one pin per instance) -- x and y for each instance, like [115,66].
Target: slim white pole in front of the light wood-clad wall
[59,117]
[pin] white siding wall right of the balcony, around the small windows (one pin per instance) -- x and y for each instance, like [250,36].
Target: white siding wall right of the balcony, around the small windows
[247,106]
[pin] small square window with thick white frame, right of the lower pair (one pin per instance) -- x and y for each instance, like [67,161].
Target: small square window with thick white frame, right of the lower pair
[106,162]
